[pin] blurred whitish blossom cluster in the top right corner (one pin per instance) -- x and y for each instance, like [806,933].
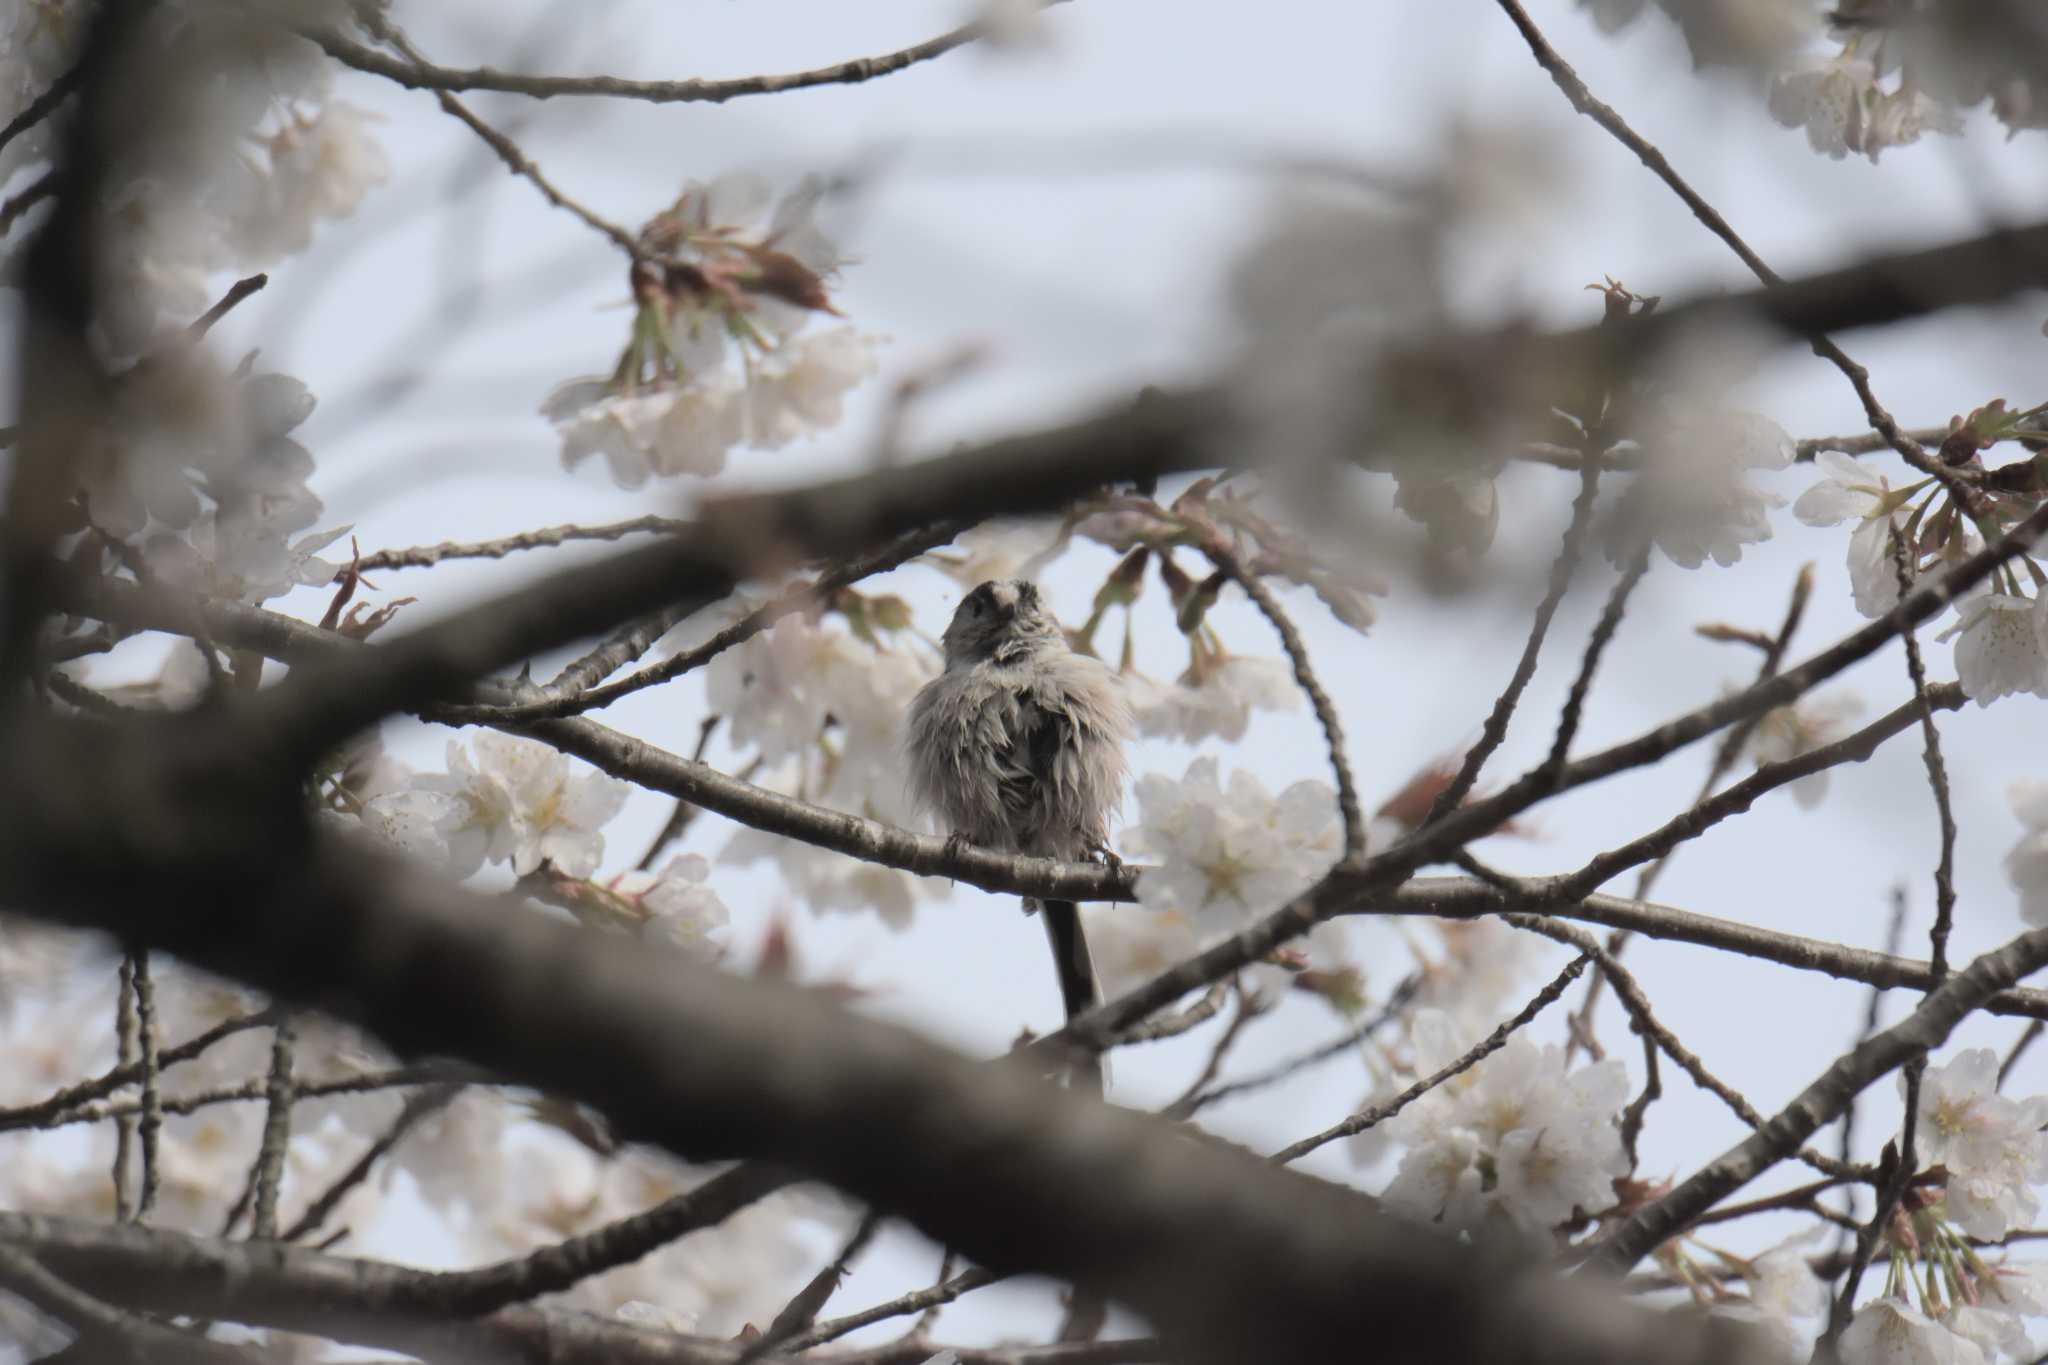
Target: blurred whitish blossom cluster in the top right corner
[1869,75]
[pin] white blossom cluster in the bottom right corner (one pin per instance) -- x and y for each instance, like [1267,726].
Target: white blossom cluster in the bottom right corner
[1943,1301]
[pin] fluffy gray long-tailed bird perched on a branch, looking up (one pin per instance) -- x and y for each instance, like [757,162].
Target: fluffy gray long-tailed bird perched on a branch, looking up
[1019,746]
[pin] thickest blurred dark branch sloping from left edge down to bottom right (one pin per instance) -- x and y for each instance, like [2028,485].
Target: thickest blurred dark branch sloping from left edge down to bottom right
[1234,1262]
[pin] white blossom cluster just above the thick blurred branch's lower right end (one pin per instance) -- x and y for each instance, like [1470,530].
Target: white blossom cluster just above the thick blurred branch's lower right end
[1512,1143]
